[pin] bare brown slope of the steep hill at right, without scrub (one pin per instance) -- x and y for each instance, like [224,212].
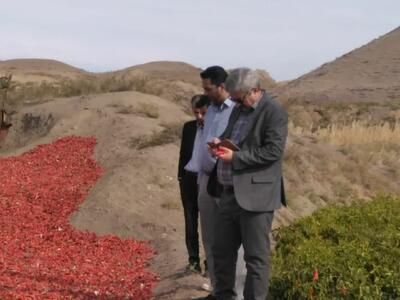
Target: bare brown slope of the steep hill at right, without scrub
[370,73]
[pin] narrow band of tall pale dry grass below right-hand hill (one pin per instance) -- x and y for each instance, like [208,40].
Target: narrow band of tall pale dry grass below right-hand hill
[356,133]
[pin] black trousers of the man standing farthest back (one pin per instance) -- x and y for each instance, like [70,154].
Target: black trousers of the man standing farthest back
[189,192]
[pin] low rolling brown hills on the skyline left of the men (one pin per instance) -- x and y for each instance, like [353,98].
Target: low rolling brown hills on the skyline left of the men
[40,80]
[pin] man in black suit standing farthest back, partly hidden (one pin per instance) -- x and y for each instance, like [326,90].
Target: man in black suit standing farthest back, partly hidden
[187,176]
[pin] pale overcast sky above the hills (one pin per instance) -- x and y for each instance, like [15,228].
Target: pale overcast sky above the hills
[285,37]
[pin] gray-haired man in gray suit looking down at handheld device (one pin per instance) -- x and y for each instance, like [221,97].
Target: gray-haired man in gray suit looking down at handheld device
[251,184]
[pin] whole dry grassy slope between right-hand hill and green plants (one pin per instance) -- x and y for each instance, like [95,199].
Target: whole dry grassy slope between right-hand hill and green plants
[339,164]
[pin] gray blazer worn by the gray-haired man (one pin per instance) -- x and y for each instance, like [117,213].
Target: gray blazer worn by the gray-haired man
[257,167]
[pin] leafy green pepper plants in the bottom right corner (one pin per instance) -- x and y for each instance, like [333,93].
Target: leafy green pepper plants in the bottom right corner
[340,252]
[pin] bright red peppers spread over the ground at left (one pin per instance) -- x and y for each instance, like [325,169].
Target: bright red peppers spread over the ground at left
[41,255]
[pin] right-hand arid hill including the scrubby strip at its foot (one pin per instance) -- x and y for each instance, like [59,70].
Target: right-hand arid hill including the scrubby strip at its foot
[361,85]
